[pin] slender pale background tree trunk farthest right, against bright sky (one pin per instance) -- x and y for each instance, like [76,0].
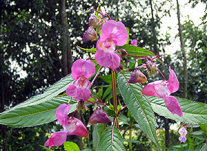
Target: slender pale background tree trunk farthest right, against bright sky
[182,51]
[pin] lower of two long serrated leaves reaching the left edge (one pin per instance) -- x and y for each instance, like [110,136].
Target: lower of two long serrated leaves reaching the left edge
[34,115]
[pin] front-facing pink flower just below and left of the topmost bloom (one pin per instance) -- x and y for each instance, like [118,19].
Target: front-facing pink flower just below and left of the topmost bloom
[81,71]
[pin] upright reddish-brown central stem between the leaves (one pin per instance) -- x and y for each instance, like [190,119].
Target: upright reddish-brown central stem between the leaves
[113,78]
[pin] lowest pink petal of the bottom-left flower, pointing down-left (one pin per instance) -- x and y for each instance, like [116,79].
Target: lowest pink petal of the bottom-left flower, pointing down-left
[56,139]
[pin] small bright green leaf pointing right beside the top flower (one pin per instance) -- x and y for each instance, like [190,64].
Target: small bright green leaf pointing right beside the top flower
[136,51]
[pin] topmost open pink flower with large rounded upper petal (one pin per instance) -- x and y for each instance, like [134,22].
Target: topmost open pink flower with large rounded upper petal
[112,34]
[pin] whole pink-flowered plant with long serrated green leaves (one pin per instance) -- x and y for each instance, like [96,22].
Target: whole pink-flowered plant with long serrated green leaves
[127,65]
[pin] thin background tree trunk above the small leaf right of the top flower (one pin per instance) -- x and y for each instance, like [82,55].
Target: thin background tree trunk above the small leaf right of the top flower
[154,37]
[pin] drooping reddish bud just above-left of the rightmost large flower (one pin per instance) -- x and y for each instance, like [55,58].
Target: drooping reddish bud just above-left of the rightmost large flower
[137,76]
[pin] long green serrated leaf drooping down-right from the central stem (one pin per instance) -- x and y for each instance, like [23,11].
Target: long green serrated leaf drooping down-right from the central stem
[138,106]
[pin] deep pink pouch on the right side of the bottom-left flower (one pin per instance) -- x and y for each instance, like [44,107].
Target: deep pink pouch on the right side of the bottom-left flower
[75,127]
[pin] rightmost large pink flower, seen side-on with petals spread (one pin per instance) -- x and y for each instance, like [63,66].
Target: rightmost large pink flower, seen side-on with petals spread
[163,89]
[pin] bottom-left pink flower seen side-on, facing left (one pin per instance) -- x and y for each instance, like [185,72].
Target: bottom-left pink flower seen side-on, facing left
[71,125]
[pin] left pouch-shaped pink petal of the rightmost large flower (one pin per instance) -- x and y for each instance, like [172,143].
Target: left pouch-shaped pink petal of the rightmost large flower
[149,89]
